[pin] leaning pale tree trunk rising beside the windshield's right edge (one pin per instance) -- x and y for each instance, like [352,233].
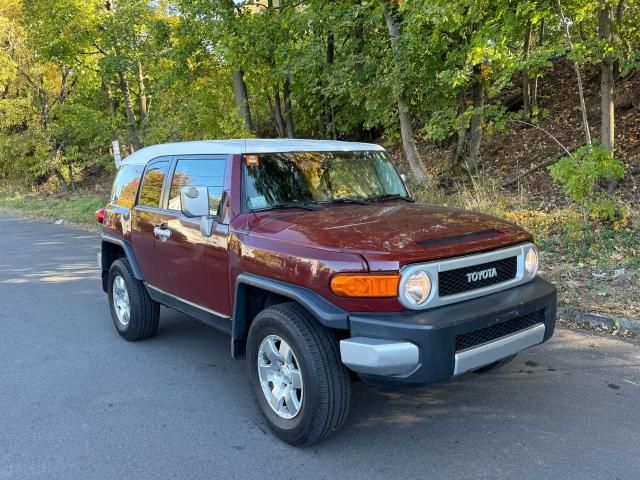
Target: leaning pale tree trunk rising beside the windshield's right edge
[406,127]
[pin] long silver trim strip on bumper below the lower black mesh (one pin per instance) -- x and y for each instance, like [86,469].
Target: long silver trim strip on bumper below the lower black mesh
[490,352]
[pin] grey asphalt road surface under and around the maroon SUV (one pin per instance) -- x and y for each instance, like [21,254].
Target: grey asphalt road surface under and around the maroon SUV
[77,401]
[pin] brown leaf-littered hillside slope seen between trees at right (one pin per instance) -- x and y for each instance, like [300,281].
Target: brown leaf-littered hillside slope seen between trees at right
[506,157]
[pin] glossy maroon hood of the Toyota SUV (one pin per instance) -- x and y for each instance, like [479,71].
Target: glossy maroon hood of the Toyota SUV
[390,234]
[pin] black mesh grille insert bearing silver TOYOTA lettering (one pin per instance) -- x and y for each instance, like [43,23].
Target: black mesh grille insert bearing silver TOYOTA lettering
[456,281]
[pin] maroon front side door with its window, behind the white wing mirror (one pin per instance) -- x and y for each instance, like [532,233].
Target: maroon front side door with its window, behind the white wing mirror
[193,268]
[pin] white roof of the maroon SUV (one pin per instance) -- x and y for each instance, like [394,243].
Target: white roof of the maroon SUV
[239,146]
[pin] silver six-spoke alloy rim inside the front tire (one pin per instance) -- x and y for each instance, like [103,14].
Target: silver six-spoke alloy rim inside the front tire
[280,377]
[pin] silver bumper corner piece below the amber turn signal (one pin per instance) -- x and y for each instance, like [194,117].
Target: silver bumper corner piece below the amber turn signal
[379,357]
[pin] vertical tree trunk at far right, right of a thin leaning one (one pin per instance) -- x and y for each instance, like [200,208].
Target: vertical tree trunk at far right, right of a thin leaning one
[606,82]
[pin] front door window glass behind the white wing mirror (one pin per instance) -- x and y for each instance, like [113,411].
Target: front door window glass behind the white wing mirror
[202,173]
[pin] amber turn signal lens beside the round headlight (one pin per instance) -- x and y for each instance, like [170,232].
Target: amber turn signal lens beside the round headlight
[365,285]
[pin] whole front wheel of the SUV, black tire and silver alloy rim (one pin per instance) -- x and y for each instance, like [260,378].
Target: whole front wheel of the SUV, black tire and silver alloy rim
[324,399]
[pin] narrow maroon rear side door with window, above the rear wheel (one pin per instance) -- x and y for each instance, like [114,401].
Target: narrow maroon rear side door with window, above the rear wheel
[147,216]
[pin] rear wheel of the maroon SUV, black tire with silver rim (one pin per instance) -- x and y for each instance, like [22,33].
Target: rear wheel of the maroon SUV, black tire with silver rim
[143,312]
